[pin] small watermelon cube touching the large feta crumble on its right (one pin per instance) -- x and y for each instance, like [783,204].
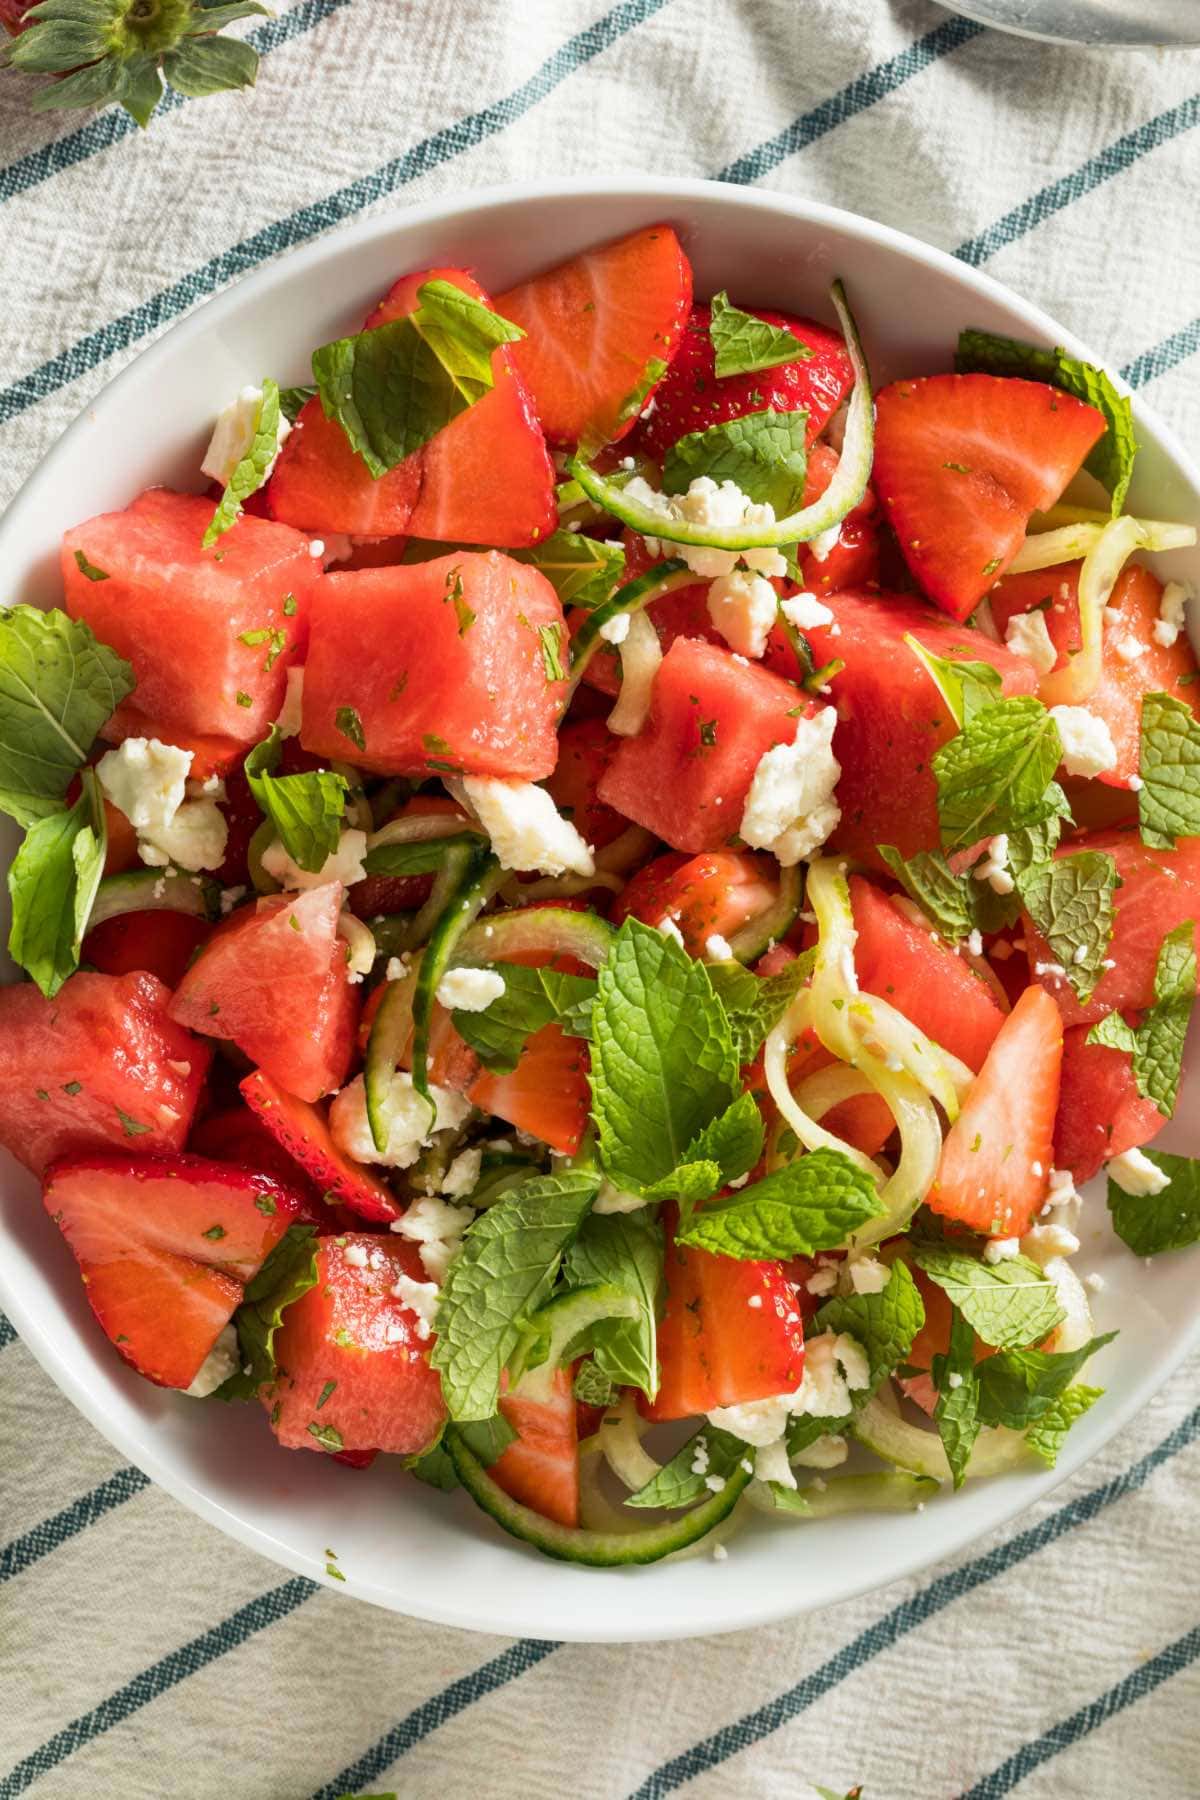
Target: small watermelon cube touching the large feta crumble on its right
[712,717]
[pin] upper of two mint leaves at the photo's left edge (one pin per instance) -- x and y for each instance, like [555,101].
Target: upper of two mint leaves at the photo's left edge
[58,687]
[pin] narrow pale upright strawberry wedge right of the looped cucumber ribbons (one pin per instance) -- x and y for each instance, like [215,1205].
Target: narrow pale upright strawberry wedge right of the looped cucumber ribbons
[999,1151]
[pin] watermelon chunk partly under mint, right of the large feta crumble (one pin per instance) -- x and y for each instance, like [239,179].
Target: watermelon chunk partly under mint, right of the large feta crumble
[891,715]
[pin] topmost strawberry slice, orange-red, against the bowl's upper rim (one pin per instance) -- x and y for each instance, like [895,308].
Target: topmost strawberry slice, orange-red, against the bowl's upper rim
[600,332]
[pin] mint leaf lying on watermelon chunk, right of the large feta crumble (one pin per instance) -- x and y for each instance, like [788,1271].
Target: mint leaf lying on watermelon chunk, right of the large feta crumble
[998,775]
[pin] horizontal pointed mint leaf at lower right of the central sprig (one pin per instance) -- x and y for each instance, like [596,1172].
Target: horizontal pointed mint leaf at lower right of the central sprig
[809,1205]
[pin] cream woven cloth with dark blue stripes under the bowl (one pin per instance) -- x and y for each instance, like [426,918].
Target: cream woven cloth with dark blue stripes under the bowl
[143,1655]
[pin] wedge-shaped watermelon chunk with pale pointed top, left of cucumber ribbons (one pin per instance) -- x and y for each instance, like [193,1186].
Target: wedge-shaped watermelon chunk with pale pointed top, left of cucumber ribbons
[273,980]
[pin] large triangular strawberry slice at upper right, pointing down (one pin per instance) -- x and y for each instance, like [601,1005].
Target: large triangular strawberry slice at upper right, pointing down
[960,465]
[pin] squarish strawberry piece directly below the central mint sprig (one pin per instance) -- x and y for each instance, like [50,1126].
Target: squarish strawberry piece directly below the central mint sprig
[731,1333]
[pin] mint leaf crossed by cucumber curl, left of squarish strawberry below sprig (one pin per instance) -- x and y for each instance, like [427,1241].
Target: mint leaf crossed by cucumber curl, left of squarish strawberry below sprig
[625,1252]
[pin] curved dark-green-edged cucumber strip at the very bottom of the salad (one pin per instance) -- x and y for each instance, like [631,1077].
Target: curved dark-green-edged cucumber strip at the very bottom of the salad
[591,1549]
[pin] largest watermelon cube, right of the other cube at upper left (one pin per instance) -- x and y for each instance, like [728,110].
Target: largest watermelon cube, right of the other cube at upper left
[458,669]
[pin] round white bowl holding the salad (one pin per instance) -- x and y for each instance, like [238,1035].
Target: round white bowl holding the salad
[400,1545]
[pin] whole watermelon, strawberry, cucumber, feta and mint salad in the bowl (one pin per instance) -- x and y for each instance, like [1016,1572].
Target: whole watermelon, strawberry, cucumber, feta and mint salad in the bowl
[591,906]
